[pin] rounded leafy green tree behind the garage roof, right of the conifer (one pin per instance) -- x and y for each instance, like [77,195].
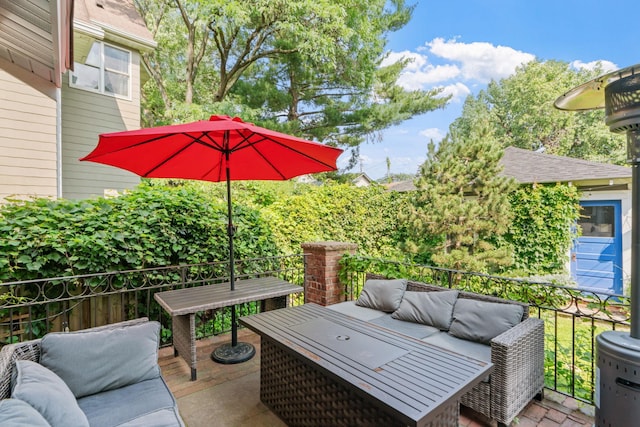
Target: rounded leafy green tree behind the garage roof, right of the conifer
[520,113]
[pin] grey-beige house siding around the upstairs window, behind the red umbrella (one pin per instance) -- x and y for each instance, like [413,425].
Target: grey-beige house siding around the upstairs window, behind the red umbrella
[85,115]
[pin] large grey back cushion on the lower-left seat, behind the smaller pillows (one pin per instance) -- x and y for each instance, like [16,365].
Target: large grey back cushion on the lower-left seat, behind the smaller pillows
[93,361]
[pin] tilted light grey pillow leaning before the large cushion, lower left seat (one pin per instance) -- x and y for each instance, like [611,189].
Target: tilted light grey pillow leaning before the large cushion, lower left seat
[48,394]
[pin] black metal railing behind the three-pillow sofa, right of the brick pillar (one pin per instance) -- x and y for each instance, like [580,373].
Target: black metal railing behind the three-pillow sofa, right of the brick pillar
[573,316]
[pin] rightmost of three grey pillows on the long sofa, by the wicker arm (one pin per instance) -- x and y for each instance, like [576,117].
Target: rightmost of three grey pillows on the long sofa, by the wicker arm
[482,321]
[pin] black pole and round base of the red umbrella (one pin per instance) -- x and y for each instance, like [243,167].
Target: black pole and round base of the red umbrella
[235,352]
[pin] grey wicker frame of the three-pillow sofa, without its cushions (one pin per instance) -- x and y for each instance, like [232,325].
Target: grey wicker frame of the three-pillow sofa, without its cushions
[518,359]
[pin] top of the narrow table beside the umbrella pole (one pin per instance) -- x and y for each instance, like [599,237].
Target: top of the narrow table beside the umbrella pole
[190,300]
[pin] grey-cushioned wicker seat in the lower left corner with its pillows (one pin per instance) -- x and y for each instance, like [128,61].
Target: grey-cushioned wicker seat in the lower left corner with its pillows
[104,376]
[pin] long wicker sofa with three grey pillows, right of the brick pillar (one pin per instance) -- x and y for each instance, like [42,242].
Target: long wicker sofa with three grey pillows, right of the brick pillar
[517,351]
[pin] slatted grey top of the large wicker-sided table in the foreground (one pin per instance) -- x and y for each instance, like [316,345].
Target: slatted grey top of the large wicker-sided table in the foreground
[412,379]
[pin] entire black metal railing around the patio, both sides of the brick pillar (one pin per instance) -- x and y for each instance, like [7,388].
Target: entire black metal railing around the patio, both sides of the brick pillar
[573,316]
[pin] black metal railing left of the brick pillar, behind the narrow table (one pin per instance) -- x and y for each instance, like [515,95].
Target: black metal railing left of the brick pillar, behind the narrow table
[29,309]
